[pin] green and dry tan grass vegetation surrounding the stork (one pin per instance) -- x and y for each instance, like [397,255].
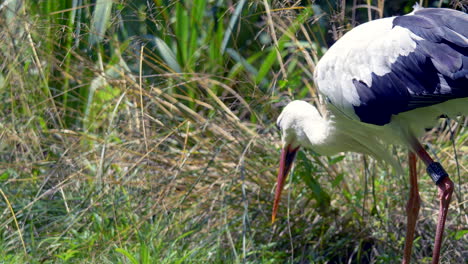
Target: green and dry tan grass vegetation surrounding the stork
[143,132]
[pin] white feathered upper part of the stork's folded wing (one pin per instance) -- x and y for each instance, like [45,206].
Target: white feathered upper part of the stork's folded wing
[369,48]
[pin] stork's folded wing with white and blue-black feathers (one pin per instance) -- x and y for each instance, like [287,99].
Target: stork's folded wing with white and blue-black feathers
[394,65]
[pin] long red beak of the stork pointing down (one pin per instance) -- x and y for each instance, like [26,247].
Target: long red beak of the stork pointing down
[287,158]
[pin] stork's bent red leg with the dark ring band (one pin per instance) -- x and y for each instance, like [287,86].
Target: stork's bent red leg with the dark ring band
[445,186]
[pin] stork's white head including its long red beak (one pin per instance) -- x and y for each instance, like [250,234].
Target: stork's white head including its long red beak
[294,122]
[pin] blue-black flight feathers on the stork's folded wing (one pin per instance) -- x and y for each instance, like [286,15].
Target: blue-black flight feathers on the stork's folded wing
[436,71]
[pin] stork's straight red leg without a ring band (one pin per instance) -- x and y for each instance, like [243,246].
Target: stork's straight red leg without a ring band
[412,208]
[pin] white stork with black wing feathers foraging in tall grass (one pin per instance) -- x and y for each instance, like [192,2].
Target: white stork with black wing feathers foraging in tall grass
[385,81]
